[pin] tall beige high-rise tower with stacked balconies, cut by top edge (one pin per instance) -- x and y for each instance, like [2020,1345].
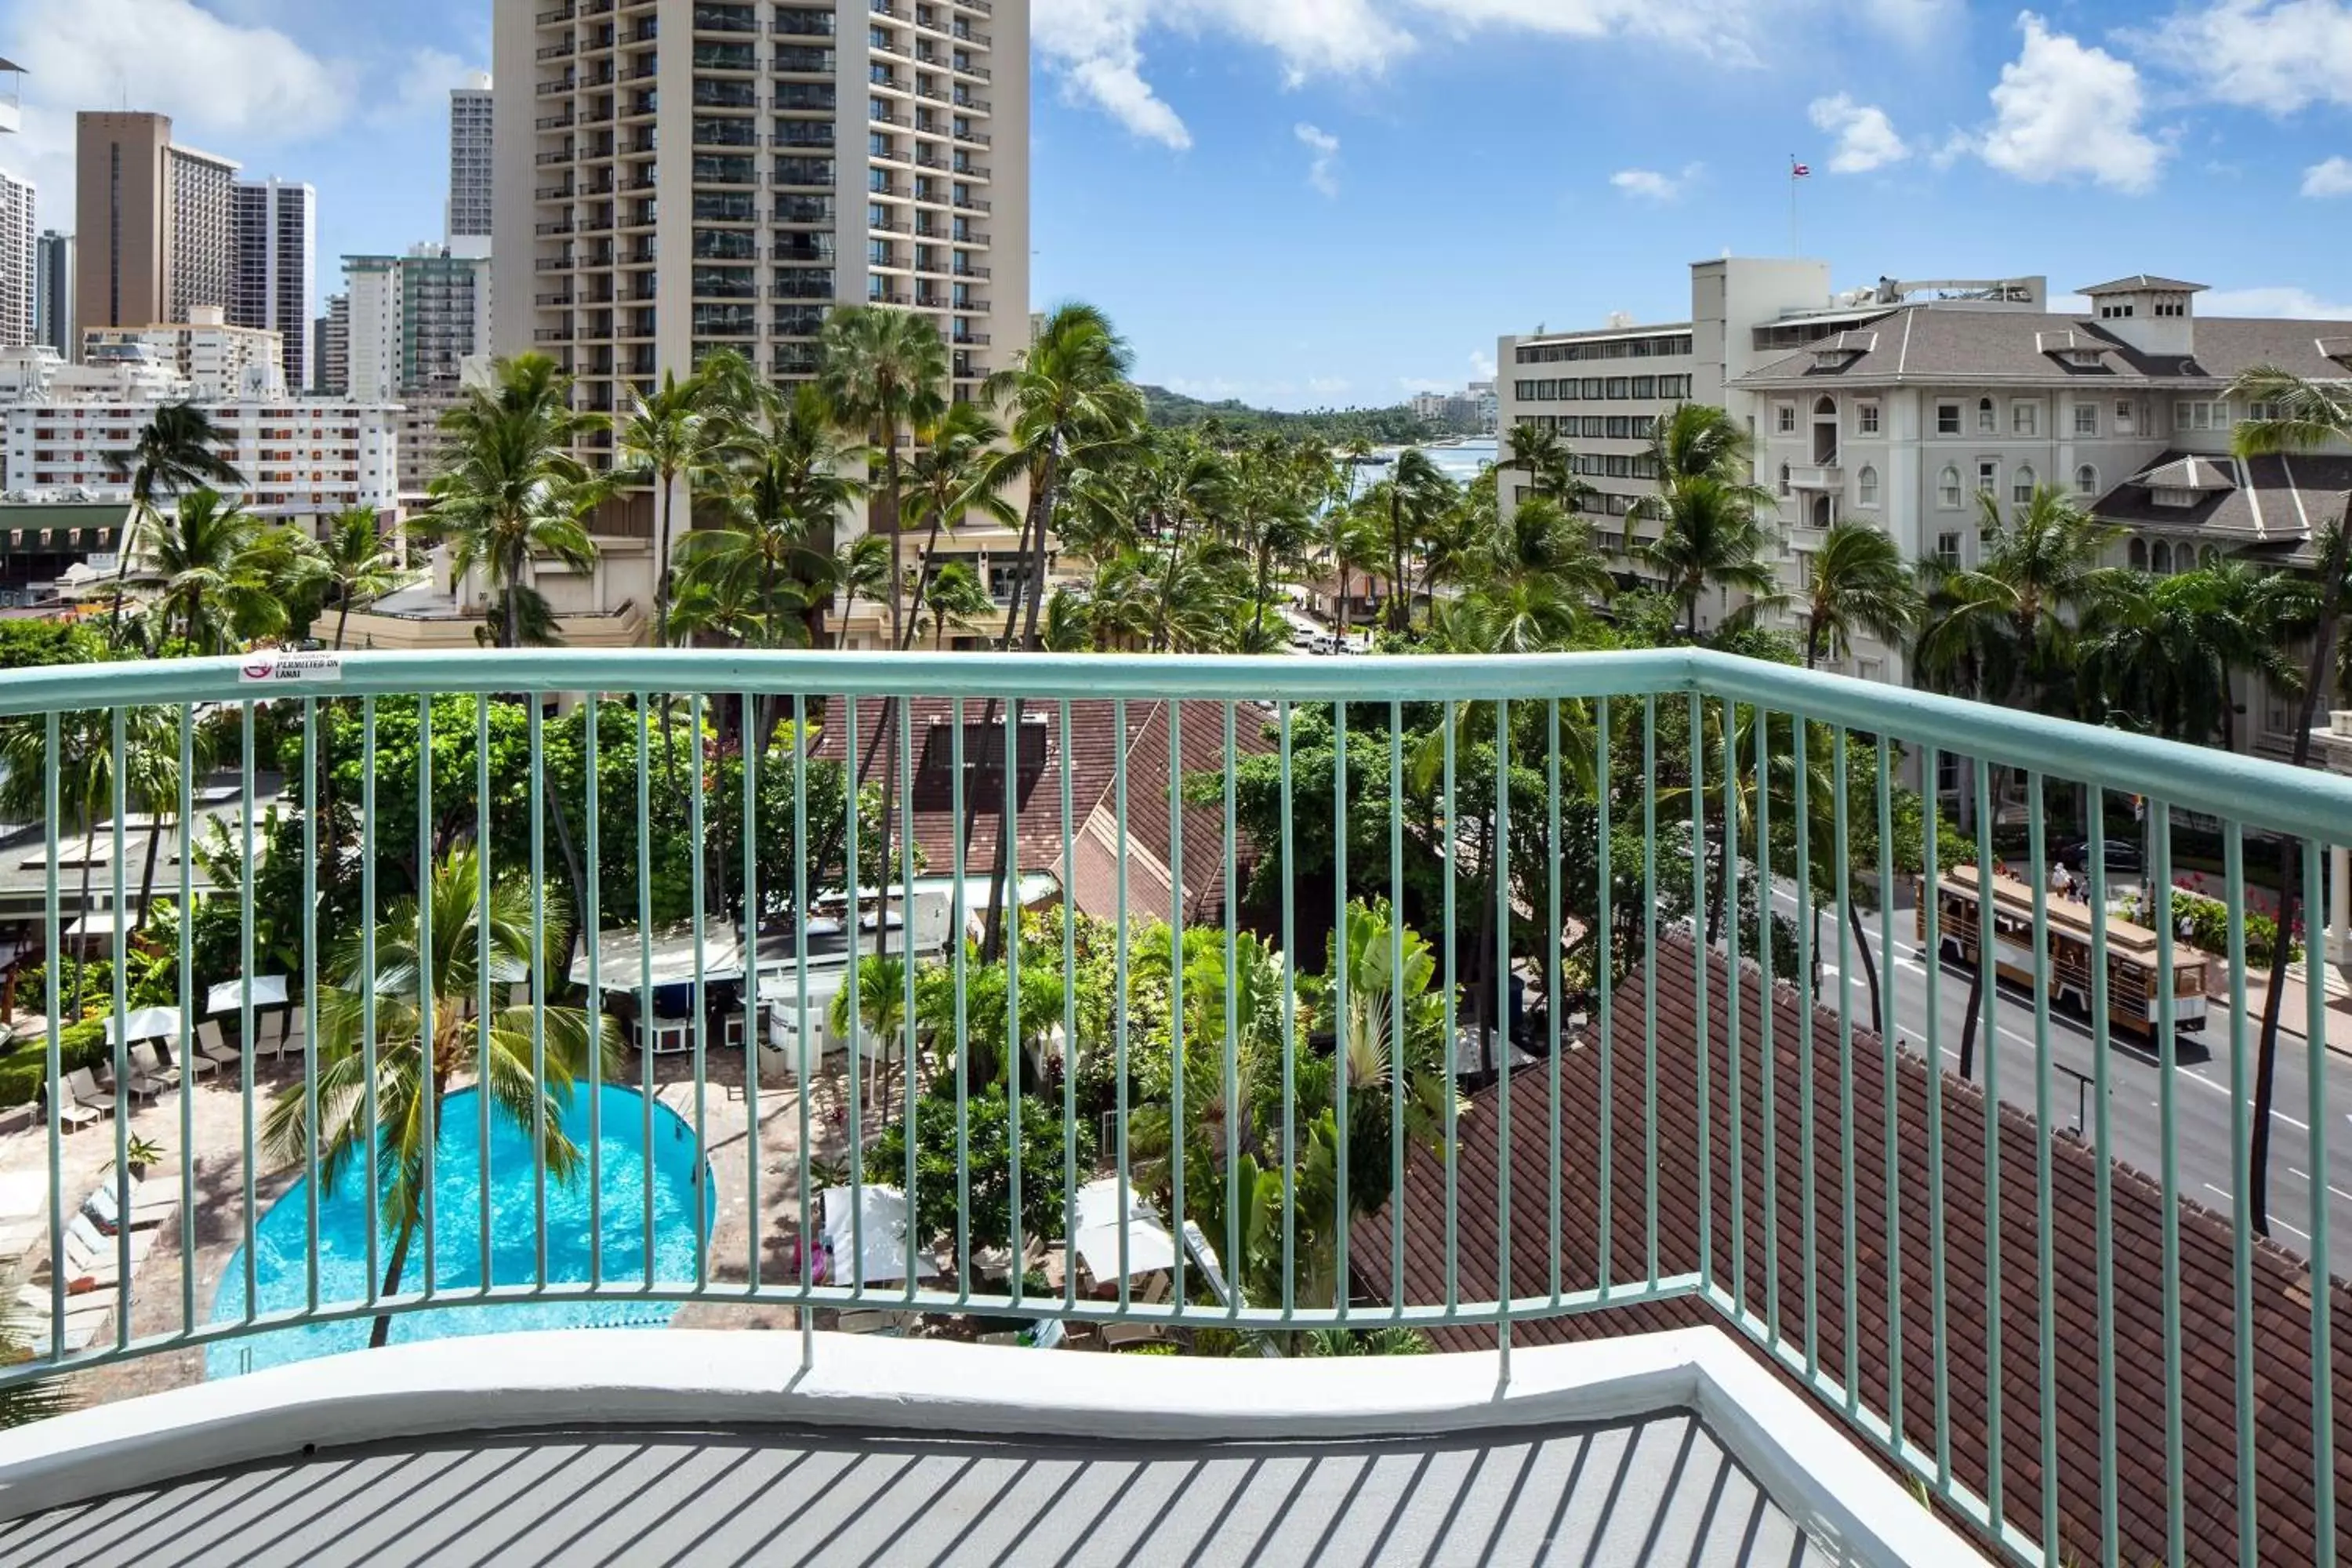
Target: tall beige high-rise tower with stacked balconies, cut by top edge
[690,175]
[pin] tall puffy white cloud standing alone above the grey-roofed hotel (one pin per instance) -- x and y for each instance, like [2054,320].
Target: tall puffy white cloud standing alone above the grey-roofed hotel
[2071,112]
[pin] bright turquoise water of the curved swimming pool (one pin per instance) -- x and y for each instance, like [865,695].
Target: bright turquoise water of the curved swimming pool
[683,1214]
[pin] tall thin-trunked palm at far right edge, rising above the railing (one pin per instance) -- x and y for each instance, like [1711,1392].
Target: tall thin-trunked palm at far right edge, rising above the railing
[2304,415]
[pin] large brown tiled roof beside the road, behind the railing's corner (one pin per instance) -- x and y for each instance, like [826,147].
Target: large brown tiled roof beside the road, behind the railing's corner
[2280,1325]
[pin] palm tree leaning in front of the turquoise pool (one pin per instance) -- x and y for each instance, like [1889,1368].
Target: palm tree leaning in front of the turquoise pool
[385,1125]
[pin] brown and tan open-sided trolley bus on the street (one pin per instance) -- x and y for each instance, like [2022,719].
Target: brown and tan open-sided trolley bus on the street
[2132,953]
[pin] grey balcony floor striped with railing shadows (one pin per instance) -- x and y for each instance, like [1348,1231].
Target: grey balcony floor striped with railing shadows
[1650,1489]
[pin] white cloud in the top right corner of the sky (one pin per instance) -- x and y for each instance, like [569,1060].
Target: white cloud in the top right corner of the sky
[2273,55]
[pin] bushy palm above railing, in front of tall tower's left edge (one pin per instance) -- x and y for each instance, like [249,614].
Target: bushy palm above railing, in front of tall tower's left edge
[514,492]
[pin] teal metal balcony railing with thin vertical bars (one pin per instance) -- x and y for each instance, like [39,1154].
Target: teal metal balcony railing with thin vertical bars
[1485,1000]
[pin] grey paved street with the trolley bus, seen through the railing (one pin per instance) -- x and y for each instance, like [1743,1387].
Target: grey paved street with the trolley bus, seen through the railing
[2203,1134]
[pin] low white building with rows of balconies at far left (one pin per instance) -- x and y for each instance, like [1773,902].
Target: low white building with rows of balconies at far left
[300,457]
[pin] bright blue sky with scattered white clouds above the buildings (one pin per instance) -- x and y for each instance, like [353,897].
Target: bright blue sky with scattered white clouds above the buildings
[1339,201]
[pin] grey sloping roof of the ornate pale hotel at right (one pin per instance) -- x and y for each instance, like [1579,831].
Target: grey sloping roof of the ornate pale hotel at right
[1942,347]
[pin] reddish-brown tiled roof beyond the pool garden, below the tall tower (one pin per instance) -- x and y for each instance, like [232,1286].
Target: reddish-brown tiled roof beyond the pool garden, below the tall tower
[1095,742]
